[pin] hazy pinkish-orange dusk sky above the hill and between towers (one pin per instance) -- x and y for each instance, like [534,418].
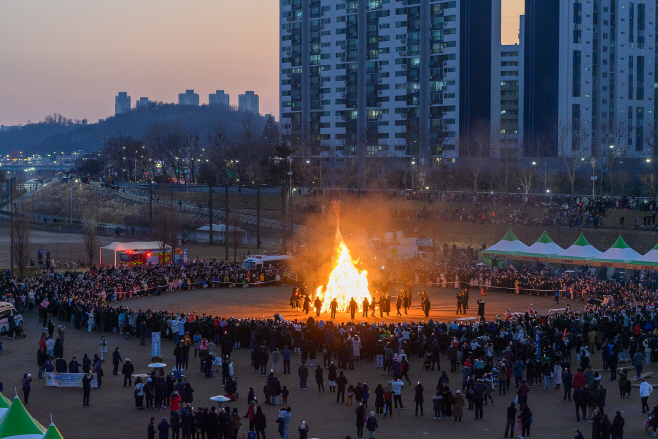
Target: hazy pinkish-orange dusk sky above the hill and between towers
[73,56]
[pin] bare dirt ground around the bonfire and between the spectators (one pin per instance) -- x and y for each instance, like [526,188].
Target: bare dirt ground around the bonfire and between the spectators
[326,418]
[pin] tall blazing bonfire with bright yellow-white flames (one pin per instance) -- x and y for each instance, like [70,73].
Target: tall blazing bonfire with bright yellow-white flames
[345,282]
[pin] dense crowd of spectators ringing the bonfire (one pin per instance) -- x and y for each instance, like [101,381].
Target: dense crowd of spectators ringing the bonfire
[516,352]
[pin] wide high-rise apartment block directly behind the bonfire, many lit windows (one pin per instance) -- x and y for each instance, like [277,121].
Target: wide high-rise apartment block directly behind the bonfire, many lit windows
[378,79]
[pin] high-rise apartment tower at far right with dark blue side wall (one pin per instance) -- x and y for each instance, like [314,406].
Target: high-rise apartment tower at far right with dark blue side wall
[589,83]
